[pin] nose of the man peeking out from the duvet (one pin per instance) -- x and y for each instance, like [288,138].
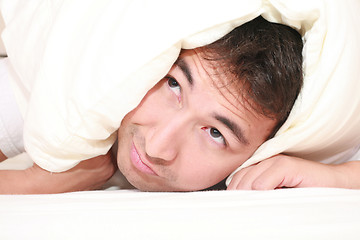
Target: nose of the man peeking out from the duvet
[165,139]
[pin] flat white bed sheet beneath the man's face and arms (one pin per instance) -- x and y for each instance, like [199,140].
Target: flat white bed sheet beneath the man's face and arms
[128,214]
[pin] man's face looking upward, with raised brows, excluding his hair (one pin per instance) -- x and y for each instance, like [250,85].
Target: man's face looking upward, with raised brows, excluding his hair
[187,134]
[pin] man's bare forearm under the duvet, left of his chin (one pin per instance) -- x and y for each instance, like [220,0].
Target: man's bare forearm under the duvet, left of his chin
[87,175]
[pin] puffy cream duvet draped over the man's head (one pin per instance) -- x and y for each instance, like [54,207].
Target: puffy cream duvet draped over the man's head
[87,65]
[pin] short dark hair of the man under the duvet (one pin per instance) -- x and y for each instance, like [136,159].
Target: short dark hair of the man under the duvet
[265,59]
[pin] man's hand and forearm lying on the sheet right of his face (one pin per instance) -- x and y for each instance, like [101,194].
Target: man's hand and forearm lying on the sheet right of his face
[285,171]
